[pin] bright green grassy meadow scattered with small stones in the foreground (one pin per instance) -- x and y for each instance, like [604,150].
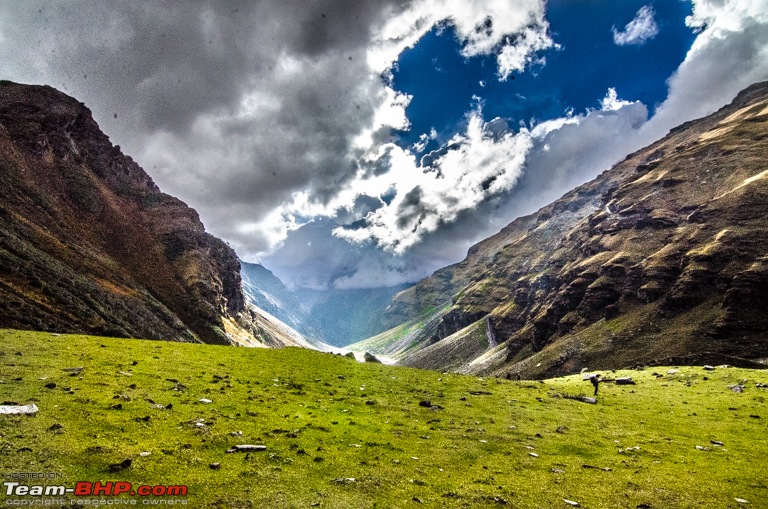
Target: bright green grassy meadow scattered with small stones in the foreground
[325,418]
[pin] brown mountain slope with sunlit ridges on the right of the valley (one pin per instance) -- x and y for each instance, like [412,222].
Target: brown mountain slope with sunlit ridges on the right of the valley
[662,259]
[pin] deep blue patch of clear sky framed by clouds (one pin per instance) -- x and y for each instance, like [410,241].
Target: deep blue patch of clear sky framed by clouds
[444,84]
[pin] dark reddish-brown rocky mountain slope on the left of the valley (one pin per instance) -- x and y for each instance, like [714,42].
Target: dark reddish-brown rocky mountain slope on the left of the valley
[89,244]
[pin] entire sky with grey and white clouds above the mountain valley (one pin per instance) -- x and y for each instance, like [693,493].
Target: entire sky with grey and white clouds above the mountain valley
[365,143]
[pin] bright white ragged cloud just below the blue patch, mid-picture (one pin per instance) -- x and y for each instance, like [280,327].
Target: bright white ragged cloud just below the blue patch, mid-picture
[475,166]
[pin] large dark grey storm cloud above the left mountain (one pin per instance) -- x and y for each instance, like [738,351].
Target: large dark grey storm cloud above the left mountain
[242,102]
